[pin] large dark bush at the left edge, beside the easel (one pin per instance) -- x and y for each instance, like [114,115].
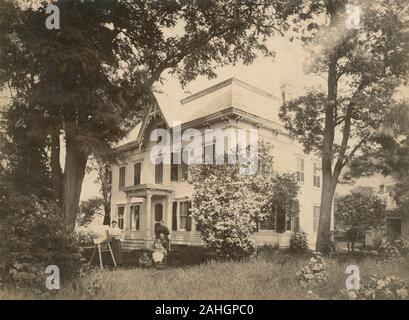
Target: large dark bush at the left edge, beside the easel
[32,237]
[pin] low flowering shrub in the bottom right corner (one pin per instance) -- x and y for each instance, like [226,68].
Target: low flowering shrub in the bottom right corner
[387,288]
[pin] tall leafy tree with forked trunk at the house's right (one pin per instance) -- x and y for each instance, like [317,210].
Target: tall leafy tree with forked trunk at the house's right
[362,69]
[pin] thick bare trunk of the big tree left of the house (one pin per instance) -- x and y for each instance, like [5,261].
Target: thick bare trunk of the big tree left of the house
[75,163]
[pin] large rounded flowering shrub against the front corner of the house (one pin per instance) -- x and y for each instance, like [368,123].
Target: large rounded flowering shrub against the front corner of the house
[228,205]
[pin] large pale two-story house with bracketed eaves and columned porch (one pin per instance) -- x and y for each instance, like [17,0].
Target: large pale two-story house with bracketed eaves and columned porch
[145,192]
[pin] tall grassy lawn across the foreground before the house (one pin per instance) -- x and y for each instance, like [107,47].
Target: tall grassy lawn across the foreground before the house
[270,276]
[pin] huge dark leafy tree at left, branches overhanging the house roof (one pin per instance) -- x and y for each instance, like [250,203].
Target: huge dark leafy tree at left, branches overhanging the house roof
[93,79]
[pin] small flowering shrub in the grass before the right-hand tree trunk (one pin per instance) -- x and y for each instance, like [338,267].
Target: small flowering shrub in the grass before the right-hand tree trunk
[314,272]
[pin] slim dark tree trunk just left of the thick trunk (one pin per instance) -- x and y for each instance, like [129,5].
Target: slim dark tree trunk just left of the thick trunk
[56,172]
